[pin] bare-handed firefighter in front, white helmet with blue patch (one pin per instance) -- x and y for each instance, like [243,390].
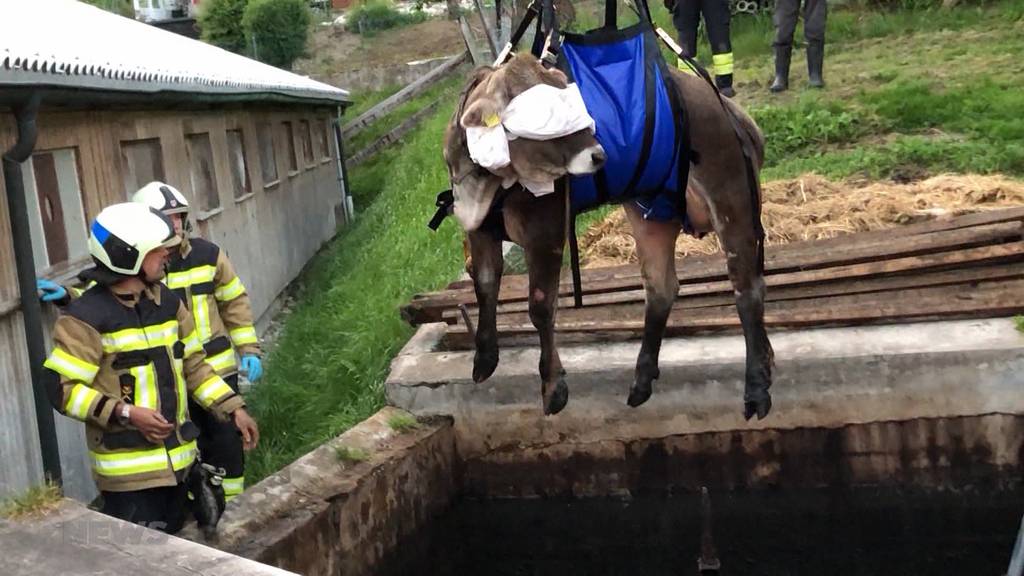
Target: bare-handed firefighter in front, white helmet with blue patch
[126,358]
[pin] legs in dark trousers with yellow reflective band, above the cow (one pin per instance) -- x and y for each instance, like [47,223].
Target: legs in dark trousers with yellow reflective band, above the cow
[686,17]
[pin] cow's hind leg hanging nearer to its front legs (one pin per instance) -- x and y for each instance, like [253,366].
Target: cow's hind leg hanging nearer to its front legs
[657,252]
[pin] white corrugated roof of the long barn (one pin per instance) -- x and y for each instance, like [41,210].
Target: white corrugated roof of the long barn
[72,45]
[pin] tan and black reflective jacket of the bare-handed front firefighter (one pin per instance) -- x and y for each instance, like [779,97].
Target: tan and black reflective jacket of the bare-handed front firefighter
[145,352]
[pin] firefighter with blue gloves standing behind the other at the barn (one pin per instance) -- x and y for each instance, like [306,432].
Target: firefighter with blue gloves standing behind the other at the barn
[201,275]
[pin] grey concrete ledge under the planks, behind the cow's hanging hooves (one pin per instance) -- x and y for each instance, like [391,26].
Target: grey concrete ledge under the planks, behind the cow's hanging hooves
[824,379]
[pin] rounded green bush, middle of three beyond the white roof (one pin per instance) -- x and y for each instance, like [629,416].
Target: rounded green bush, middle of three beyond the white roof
[278,30]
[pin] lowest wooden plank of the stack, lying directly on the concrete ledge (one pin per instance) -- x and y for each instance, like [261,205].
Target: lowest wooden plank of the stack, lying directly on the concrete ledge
[996,300]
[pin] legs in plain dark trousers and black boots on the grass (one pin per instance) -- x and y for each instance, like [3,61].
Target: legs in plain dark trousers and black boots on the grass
[787,12]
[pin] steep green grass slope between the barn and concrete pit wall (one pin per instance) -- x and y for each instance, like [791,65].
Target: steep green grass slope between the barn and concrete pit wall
[327,372]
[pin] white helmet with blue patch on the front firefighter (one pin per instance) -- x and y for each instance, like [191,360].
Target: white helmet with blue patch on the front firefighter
[123,234]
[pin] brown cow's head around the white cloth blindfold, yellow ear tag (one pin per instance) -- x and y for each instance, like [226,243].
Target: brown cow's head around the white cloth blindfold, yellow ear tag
[486,98]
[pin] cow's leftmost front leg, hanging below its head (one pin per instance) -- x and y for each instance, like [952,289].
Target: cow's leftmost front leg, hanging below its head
[486,268]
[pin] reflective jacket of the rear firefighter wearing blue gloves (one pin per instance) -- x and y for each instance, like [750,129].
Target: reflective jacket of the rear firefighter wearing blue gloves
[203,277]
